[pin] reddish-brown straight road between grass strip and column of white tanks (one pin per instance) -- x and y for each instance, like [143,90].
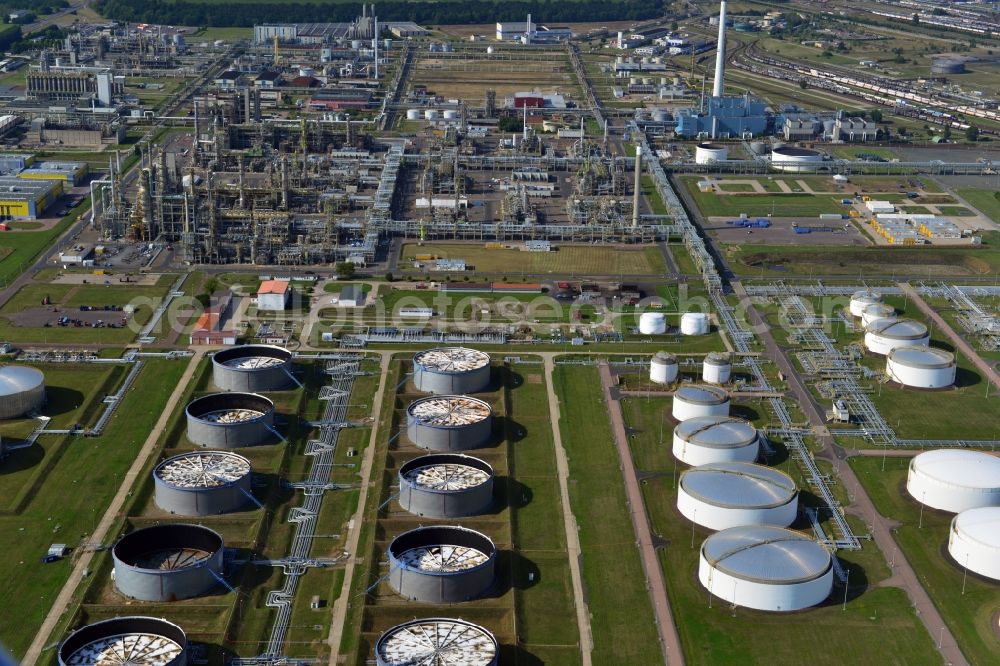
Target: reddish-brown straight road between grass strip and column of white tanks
[669,639]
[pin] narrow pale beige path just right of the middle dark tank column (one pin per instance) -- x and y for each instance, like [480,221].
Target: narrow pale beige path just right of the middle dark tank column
[569,520]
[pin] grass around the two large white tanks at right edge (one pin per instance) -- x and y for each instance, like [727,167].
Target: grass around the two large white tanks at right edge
[969,616]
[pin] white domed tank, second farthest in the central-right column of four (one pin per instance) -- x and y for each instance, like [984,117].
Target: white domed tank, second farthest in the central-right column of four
[715,439]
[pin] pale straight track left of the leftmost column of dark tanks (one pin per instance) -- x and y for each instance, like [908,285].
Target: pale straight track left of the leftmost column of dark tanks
[111,516]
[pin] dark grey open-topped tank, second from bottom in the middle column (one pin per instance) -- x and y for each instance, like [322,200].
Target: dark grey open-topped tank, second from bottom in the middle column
[441,564]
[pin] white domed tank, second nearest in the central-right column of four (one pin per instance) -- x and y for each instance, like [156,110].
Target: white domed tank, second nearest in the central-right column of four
[723,495]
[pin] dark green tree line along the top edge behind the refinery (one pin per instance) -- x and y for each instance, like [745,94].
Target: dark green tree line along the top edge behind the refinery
[246,14]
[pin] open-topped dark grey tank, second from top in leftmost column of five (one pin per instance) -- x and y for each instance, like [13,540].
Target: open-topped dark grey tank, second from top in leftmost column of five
[230,420]
